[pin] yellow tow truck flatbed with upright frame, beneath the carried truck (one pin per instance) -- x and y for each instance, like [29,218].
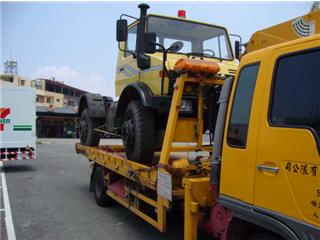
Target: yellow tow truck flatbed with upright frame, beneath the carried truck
[151,190]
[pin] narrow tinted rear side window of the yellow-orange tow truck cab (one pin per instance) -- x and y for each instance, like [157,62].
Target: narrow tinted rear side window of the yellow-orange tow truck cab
[241,107]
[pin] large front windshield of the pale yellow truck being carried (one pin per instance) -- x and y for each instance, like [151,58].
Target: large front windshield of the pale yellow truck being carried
[197,38]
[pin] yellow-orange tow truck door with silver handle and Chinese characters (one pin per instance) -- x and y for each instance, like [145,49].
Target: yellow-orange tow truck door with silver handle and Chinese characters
[288,162]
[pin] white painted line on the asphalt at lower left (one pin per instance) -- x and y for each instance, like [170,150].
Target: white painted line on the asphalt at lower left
[7,209]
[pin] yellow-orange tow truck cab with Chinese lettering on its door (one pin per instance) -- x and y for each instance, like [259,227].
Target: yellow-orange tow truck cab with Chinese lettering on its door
[271,145]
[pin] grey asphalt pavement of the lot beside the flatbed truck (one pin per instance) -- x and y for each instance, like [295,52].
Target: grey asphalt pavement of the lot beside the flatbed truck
[50,199]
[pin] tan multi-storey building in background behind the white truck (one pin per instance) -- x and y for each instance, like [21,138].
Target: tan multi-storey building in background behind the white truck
[56,105]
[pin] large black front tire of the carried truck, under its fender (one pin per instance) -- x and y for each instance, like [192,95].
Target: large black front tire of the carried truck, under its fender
[139,133]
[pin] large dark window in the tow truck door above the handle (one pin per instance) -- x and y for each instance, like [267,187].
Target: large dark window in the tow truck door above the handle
[295,97]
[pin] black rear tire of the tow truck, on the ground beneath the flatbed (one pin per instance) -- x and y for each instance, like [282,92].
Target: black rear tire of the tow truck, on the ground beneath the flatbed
[100,189]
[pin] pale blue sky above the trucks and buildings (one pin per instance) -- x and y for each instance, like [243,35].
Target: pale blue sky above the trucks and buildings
[75,41]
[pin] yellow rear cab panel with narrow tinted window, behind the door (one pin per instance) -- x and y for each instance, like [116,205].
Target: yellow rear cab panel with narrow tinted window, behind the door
[239,148]
